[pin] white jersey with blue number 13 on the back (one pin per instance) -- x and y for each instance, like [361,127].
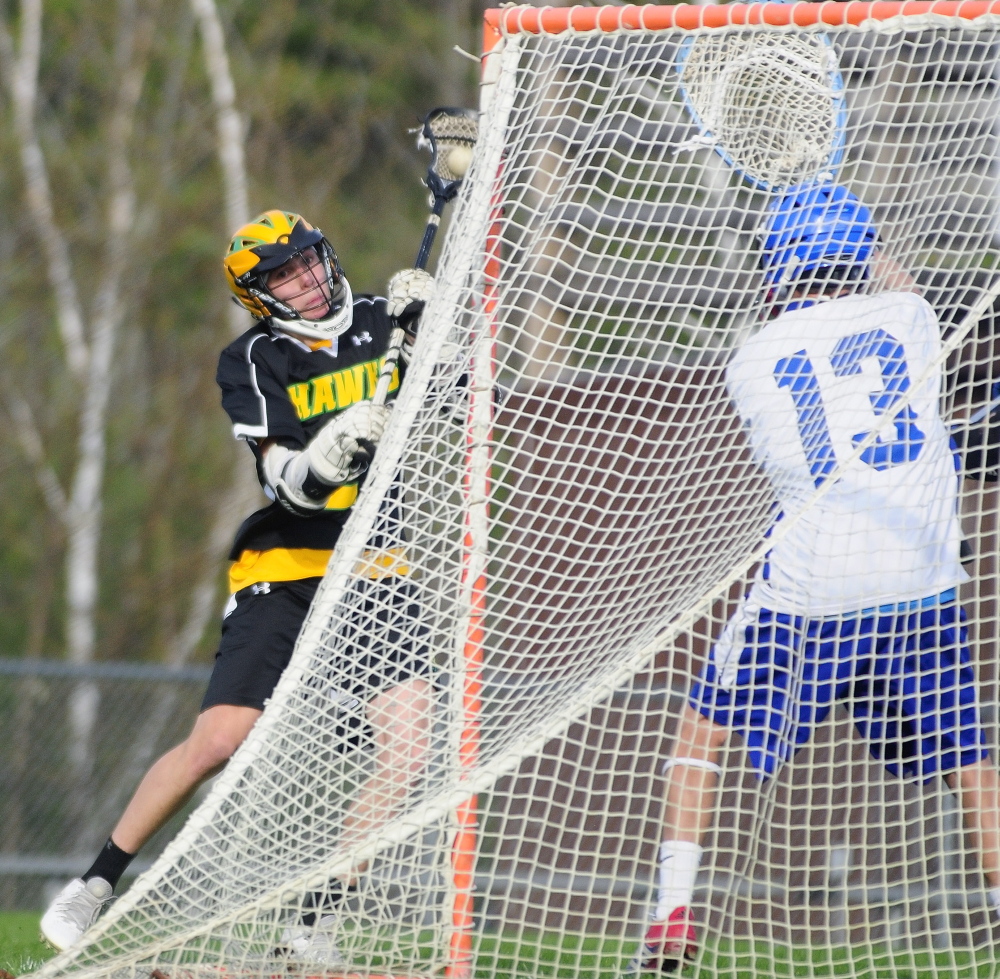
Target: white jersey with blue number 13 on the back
[811,386]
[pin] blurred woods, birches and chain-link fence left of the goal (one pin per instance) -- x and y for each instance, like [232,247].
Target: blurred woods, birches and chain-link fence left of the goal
[122,484]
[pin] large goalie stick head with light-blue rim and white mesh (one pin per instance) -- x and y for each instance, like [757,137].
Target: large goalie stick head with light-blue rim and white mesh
[770,103]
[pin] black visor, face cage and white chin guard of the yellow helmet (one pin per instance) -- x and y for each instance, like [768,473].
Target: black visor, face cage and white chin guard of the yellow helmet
[312,258]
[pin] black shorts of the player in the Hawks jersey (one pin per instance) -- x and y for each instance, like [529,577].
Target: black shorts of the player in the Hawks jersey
[258,635]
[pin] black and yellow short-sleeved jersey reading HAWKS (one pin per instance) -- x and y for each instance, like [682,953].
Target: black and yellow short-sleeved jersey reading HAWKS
[275,386]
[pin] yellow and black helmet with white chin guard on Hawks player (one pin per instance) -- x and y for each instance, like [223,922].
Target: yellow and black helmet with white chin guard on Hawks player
[259,249]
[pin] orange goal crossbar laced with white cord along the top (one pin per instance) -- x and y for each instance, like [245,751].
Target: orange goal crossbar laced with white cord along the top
[683,16]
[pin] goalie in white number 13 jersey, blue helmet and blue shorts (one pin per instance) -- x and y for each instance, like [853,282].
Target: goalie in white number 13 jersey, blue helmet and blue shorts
[855,602]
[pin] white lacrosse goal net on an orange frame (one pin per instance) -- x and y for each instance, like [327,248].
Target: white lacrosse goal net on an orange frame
[568,489]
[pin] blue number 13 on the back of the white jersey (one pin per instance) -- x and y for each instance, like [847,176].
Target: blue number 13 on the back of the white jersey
[798,375]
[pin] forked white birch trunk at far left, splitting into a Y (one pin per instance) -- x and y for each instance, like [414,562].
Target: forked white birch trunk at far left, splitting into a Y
[88,358]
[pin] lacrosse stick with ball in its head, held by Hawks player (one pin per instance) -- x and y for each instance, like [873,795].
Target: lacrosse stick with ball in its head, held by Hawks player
[451,135]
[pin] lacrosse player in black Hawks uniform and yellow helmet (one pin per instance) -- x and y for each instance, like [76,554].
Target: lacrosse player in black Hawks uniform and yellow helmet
[297,387]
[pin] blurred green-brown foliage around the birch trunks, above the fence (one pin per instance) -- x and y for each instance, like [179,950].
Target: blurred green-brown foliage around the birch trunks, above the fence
[327,90]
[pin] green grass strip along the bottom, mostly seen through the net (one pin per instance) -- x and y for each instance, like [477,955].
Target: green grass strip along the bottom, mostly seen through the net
[548,956]
